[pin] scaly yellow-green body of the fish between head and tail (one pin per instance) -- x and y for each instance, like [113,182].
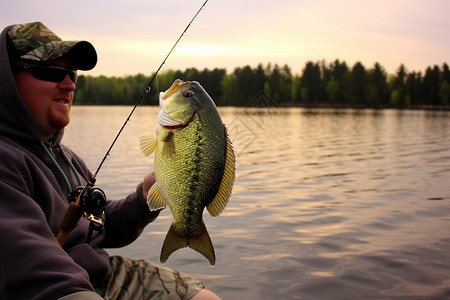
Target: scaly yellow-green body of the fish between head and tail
[197,163]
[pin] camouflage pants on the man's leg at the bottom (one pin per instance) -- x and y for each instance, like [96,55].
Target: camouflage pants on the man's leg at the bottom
[143,280]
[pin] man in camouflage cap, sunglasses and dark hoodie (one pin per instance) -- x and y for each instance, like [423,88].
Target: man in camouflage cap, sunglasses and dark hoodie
[37,173]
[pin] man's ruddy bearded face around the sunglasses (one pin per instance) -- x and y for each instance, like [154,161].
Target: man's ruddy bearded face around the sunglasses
[49,102]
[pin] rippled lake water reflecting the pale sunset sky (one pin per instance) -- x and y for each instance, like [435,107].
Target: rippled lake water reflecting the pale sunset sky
[327,204]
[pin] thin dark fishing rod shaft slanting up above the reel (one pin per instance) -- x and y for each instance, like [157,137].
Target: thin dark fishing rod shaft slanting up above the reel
[146,91]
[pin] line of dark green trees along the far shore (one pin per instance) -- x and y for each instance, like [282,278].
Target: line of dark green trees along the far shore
[319,84]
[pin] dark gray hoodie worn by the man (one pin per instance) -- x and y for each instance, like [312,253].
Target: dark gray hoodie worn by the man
[33,200]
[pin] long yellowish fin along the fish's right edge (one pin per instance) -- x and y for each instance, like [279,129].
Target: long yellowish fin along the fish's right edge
[220,201]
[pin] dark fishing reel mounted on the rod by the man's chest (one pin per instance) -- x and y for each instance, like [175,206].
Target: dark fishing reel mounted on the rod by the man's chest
[93,204]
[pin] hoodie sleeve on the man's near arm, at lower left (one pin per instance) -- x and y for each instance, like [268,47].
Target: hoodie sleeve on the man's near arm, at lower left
[33,265]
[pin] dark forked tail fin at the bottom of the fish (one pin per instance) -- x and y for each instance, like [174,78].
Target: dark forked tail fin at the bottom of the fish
[201,243]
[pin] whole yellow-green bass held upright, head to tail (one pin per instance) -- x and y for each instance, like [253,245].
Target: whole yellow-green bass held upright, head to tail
[194,164]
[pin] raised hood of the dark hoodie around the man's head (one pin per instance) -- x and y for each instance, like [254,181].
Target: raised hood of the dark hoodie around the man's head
[16,121]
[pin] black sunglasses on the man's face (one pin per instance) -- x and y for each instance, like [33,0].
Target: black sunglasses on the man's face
[49,72]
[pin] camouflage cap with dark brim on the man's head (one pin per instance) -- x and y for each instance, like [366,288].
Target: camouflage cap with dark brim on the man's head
[34,41]
